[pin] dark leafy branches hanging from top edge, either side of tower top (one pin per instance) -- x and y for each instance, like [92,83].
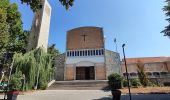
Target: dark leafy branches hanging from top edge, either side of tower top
[36,4]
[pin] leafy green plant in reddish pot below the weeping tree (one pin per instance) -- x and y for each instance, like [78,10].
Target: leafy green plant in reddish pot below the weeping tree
[14,87]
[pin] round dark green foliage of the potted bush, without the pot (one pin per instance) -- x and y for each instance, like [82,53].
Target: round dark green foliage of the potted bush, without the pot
[115,81]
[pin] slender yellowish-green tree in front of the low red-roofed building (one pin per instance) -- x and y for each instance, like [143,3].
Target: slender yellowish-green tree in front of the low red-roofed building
[142,74]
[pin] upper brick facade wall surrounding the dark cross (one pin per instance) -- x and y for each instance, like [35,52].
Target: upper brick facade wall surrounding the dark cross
[93,39]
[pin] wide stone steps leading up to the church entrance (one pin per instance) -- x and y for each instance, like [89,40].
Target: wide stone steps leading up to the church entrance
[80,85]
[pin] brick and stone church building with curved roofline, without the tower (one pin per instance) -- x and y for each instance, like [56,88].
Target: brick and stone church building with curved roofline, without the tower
[86,57]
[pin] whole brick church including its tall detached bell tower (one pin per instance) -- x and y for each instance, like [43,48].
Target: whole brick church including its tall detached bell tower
[85,58]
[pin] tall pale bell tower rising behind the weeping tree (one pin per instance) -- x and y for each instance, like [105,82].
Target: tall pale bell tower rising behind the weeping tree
[40,27]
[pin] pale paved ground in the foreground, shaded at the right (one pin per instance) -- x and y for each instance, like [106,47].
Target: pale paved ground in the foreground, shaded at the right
[84,95]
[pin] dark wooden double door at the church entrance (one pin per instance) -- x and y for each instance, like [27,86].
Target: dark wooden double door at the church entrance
[85,73]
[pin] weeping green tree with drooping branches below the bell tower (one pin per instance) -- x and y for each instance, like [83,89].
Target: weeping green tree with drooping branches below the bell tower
[36,66]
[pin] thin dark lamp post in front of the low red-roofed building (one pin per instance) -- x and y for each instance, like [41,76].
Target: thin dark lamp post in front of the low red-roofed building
[127,76]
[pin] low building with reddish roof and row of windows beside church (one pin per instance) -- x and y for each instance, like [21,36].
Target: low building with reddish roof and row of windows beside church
[155,67]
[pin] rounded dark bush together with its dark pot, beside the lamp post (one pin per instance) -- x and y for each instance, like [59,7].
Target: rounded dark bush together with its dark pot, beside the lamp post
[115,83]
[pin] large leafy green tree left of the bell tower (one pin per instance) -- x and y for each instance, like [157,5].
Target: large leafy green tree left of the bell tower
[14,38]
